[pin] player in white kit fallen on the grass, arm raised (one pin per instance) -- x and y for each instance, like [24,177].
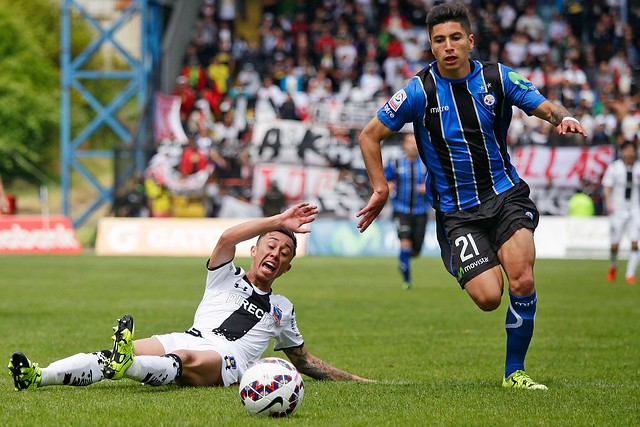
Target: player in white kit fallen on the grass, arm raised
[233,325]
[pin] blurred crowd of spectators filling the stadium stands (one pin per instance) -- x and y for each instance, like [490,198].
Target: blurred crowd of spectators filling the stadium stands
[585,54]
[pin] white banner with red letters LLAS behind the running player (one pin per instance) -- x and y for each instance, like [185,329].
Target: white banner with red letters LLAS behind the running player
[563,166]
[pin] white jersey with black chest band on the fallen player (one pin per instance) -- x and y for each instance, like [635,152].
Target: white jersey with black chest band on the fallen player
[243,318]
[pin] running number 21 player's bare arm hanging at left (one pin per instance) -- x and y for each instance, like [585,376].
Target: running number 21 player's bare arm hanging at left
[370,138]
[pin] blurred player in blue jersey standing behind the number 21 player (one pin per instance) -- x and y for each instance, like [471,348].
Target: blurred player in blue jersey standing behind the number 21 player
[407,178]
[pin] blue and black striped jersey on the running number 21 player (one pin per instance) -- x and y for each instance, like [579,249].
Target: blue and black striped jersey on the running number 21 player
[461,130]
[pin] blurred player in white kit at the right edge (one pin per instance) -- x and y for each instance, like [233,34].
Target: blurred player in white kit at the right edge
[621,186]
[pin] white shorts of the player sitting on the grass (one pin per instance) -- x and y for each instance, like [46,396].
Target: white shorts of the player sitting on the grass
[233,366]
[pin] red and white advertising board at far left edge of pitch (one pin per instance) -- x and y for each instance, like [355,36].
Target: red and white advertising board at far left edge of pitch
[38,235]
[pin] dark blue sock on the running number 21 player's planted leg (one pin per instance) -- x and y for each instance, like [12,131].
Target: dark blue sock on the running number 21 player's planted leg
[519,325]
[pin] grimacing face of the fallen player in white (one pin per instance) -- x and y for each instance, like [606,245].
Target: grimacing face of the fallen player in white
[272,256]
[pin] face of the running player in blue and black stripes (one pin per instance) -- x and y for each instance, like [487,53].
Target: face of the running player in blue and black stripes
[450,45]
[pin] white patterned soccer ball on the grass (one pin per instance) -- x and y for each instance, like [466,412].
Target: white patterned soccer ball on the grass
[272,387]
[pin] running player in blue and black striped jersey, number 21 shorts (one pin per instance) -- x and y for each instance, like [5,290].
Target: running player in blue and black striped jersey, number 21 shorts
[461,110]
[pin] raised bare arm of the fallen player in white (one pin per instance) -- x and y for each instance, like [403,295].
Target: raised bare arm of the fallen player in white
[293,219]
